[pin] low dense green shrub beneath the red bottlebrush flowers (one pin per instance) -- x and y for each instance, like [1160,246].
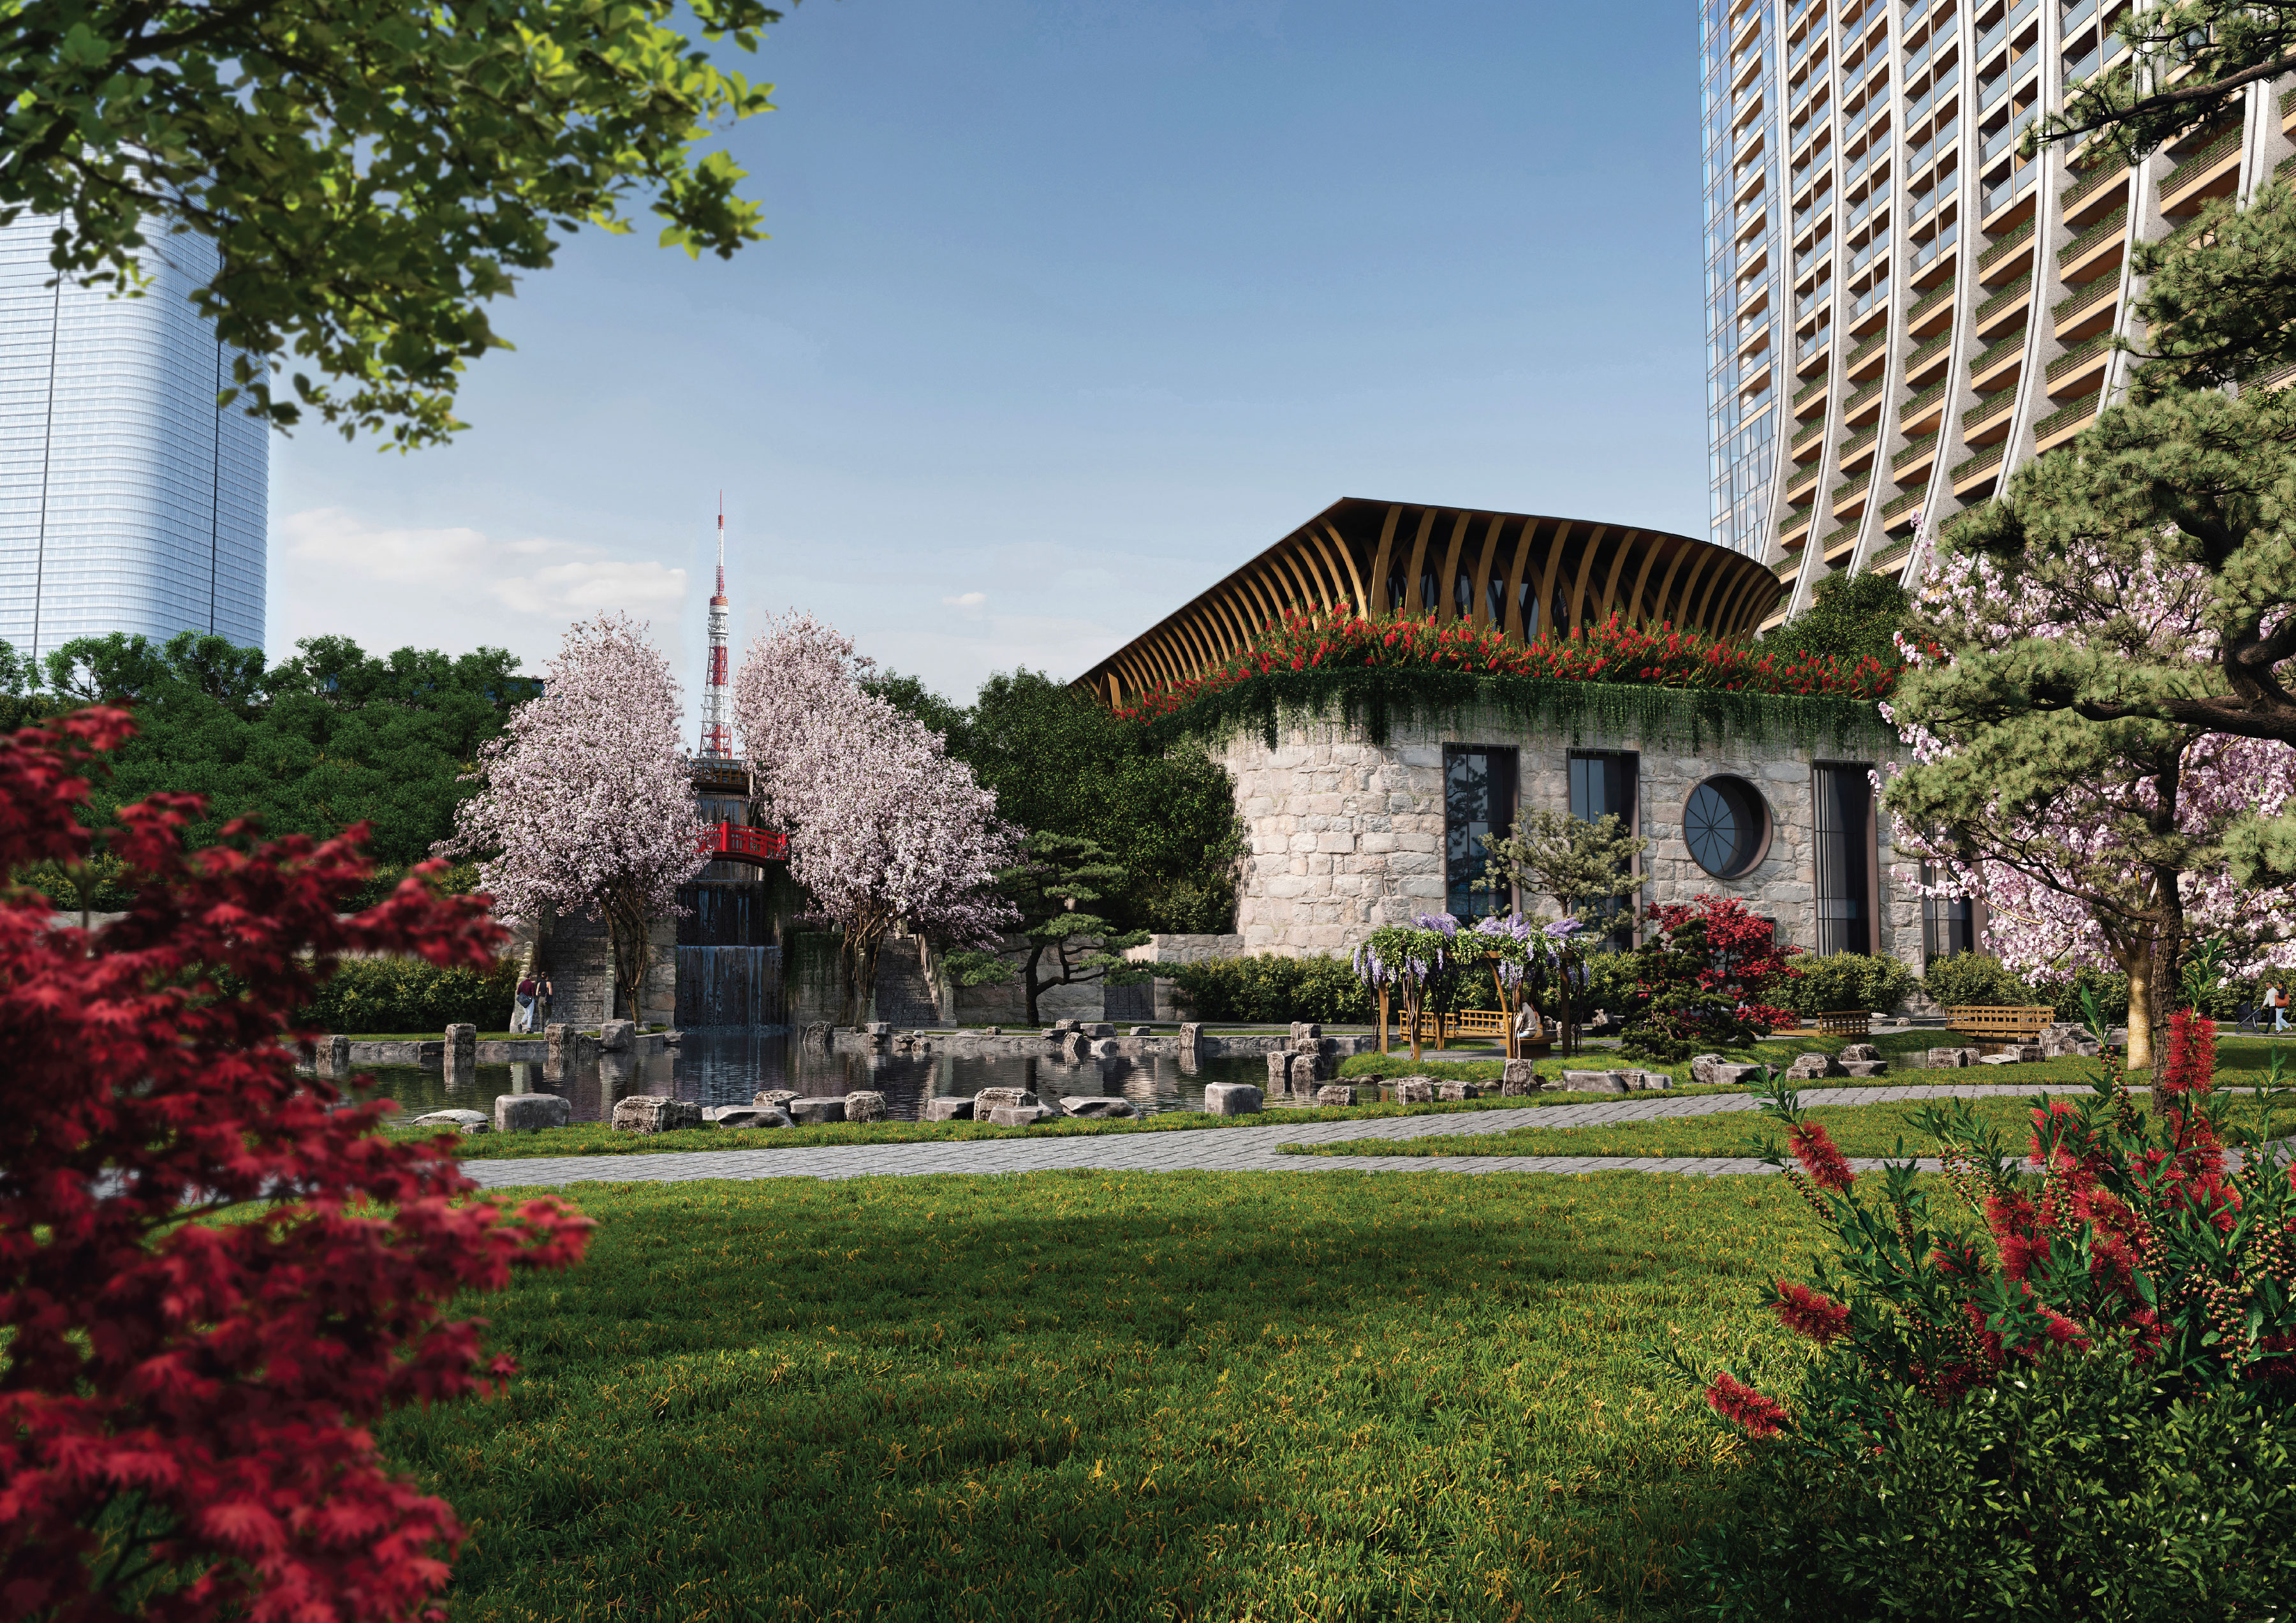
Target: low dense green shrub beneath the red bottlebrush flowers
[2081,1489]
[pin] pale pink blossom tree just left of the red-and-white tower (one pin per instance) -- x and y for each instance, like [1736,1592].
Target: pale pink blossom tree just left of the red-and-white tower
[587,802]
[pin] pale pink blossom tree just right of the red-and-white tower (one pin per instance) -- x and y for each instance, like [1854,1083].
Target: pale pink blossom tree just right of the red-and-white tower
[883,825]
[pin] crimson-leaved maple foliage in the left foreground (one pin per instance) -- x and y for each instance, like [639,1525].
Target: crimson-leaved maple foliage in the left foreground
[217,1275]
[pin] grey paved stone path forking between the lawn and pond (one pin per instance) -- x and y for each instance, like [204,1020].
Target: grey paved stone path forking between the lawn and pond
[1230,1149]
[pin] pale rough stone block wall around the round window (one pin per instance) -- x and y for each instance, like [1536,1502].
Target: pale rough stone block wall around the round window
[1349,837]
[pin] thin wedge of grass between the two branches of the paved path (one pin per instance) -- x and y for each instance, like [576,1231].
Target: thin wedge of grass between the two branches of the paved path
[1854,1128]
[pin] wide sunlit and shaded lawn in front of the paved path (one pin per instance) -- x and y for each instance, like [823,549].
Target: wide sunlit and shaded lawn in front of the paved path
[1080,1397]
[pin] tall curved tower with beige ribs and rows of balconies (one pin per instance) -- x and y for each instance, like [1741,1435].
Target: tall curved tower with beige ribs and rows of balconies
[1902,306]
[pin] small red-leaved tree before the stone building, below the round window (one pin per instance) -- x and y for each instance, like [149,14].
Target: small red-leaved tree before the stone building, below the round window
[1700,979]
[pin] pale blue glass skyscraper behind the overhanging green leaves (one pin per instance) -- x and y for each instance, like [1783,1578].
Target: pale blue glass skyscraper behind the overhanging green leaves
[127,499]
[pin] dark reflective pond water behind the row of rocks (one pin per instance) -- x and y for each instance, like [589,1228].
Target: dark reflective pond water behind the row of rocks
[727,1066]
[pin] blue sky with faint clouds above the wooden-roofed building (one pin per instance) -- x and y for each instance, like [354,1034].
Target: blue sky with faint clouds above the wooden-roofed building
[1069,309]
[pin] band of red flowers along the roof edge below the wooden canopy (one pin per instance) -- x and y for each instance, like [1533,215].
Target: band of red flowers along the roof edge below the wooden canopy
[1310,639]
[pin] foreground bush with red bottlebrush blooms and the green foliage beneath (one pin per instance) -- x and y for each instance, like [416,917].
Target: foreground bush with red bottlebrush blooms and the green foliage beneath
[2079,1401]
